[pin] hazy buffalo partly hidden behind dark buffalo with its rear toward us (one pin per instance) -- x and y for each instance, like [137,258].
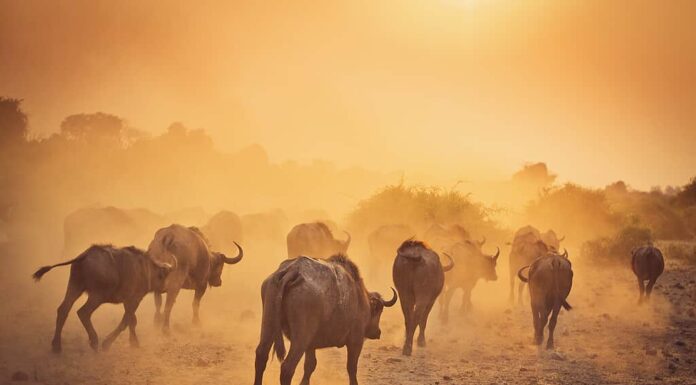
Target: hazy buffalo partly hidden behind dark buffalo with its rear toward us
[528,245]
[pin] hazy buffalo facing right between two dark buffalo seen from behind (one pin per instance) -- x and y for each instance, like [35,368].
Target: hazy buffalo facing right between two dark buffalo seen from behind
[472,265]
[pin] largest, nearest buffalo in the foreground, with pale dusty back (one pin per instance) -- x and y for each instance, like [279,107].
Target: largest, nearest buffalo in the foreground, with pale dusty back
[316,303]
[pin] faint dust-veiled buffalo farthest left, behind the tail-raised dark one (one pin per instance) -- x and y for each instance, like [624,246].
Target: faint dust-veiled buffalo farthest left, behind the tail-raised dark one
[88,226]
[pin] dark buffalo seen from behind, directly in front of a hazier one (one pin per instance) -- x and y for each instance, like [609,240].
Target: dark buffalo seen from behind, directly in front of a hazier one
[550,279]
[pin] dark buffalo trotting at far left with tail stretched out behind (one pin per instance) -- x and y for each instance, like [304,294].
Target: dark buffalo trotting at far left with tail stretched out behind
[109,275]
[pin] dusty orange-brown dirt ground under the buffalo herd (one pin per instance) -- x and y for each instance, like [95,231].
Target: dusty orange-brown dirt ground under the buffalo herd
[605,339]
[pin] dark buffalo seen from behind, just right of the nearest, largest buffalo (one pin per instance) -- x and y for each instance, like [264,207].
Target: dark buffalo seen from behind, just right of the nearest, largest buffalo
[419,277]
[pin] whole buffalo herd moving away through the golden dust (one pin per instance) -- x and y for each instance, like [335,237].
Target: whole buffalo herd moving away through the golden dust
[317,297]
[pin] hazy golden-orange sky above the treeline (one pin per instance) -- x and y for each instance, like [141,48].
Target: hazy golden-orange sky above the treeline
[600,90]
